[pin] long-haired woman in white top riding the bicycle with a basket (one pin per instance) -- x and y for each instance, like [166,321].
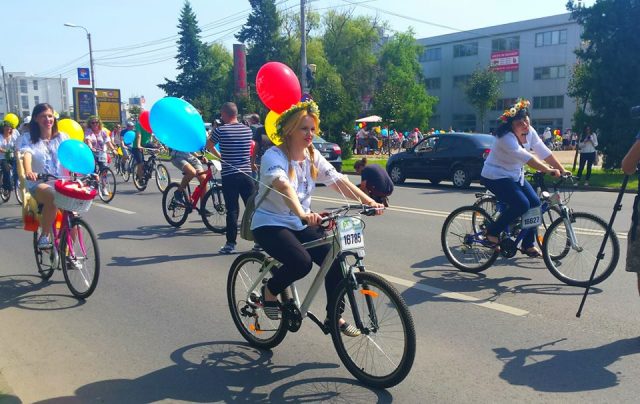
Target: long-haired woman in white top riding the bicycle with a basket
[41,157]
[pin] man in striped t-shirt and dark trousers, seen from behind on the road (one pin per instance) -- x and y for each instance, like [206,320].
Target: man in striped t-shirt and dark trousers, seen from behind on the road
[234,140]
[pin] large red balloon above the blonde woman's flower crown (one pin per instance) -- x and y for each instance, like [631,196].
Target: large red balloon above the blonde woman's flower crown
[277,86]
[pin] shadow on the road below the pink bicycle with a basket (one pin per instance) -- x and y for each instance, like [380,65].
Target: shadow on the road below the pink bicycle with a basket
[16,291]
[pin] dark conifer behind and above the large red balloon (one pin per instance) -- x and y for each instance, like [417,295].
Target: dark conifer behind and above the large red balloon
[261,35]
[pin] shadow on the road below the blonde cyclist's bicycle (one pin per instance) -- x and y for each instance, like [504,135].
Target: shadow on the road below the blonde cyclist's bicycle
[223,371]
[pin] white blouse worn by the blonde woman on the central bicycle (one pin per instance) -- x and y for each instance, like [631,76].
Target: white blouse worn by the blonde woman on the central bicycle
[273,210]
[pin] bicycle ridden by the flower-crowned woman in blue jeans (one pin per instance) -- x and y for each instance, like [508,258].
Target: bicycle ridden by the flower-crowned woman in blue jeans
[569,248]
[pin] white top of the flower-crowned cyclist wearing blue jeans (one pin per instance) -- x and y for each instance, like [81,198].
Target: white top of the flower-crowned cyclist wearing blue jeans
[507,157]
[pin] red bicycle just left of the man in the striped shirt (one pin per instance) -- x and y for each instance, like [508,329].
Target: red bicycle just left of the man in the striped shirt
[175,213]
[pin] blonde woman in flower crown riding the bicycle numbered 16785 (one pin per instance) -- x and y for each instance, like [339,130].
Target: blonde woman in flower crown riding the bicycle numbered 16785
[288,176]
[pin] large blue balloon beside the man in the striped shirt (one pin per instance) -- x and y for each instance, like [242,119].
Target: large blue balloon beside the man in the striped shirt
[178,125]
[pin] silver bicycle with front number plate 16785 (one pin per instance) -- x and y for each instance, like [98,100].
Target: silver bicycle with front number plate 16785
[382,355]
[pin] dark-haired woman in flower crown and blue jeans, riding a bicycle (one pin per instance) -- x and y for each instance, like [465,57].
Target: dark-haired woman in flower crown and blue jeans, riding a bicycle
[503,171]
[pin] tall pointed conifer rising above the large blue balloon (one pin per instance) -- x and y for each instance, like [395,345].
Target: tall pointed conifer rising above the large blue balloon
[188,83]
